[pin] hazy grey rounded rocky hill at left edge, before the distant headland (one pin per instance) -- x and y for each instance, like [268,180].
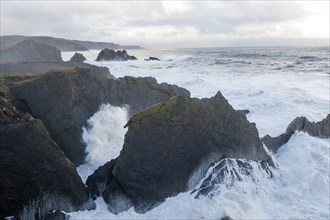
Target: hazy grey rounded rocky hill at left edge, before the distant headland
[30,51]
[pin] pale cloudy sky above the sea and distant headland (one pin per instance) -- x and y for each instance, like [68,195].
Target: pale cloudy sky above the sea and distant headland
[166,24]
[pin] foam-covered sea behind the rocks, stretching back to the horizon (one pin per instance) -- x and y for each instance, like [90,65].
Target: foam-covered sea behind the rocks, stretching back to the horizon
[274,97]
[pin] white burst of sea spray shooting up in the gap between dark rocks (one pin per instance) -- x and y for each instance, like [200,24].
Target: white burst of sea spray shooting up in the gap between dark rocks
[104,137]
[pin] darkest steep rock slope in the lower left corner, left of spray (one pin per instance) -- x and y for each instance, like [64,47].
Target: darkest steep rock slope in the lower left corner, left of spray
[35,174]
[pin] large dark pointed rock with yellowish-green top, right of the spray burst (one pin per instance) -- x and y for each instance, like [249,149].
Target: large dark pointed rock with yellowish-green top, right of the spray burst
[169,147]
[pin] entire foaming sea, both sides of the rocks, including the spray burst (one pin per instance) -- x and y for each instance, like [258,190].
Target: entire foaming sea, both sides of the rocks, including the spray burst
[276,85]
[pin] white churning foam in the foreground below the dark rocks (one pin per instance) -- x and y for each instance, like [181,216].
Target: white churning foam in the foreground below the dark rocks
[298,190]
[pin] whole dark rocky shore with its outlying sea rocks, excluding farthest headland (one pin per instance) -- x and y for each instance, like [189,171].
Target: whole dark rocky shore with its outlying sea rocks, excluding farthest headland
[172,139]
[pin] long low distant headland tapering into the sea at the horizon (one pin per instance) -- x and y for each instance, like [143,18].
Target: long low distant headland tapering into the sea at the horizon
[62,44]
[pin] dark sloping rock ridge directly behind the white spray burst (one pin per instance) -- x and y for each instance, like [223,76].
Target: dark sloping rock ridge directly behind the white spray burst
[65,99]
